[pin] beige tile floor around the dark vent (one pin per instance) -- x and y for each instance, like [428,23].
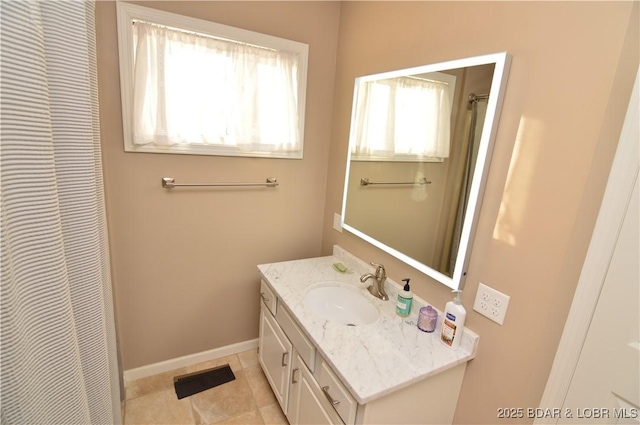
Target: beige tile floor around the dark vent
[247,400]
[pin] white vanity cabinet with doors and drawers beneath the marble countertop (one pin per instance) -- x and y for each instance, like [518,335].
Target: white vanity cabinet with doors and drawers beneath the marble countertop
[311,392]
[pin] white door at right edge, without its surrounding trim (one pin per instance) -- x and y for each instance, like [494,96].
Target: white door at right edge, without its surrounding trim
[606,384]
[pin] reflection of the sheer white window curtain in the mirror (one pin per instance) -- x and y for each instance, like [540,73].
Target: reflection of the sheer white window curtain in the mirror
[403,117]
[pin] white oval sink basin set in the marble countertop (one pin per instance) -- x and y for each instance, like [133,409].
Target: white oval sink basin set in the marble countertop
[348,306]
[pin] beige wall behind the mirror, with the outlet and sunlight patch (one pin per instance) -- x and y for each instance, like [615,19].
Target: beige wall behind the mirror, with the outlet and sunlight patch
[571,75]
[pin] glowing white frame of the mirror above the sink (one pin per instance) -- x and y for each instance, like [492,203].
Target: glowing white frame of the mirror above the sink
[502,62]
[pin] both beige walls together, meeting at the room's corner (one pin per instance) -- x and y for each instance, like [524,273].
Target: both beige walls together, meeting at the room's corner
[183,262]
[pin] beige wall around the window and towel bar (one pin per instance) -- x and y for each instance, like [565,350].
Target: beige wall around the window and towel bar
[184,261]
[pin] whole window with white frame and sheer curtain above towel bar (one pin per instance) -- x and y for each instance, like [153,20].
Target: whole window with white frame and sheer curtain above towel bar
[196,87]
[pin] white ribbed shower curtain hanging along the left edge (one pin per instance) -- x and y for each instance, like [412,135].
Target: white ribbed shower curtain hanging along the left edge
[58,344]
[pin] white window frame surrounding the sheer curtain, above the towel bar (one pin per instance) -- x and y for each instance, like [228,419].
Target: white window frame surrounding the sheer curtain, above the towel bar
[127,13]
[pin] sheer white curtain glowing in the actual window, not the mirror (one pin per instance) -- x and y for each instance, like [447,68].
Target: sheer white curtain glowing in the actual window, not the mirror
[194,89]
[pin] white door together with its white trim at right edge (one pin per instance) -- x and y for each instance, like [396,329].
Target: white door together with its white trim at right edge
[595,376]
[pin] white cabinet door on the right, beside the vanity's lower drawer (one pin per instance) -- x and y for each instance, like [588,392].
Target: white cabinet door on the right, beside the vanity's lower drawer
[306,405]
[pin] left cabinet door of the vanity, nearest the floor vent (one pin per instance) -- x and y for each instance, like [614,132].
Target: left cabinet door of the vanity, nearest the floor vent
[275,352]
